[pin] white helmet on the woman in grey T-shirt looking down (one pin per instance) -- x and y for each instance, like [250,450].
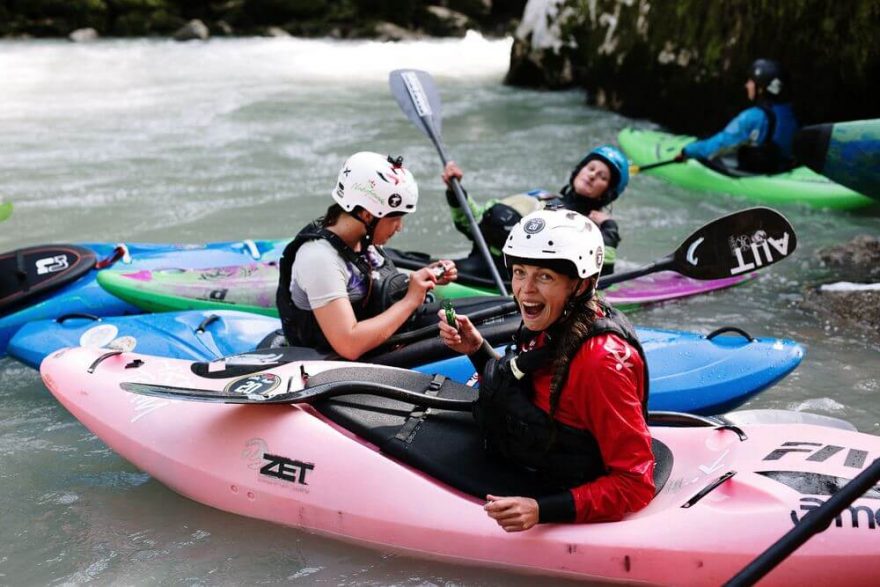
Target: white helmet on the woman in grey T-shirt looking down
[380,185]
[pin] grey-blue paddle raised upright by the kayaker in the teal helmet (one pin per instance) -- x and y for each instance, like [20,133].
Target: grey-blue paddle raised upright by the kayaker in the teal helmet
[415,93]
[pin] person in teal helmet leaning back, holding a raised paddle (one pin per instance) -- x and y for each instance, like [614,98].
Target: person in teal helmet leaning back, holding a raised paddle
[595,182]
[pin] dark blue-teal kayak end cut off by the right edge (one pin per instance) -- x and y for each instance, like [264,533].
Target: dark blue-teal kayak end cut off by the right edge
[846,152]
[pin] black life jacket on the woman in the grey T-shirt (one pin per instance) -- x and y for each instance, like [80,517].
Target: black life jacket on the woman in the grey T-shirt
[386,285]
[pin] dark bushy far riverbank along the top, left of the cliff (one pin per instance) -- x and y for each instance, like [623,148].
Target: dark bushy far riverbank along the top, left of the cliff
[339,18]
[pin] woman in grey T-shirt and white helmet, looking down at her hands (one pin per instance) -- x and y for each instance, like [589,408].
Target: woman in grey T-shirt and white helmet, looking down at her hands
[337,291]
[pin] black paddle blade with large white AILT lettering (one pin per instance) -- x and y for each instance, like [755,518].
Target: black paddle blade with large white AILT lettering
[738,243]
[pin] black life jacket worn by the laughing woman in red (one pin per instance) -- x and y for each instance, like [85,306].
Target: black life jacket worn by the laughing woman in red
[521,432]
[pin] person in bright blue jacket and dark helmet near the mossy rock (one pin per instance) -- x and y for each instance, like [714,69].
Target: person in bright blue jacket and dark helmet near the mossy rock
[761,135]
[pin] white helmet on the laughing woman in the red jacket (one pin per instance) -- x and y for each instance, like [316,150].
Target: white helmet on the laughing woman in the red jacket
[557,235]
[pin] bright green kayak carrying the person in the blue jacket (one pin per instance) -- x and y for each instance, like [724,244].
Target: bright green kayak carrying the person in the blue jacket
[801,185]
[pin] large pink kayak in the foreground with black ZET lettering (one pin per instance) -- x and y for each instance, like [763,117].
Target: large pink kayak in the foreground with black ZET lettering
[354,469]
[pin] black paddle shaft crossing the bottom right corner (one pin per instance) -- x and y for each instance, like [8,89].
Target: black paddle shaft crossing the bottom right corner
[814,522]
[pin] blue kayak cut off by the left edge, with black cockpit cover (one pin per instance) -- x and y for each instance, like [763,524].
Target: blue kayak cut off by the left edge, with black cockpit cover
[81,294]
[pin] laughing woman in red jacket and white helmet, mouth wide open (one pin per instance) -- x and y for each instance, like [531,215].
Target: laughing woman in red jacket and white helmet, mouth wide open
[568,401]
